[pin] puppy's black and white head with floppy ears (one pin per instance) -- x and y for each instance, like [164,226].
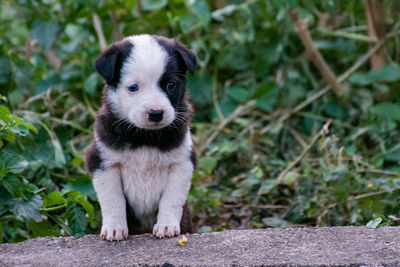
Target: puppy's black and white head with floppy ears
[146,79]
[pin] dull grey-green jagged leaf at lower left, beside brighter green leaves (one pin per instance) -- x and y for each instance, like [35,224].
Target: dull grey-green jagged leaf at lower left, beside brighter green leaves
[28,209]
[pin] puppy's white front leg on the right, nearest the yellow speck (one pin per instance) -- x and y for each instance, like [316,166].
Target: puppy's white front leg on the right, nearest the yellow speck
[172,200]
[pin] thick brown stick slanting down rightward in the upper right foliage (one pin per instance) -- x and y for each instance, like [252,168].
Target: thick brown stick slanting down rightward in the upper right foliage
[301,27]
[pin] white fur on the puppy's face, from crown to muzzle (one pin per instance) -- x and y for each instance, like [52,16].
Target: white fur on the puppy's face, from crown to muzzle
[144,66]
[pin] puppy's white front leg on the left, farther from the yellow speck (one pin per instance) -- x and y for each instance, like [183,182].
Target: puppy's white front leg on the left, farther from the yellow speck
[107,184]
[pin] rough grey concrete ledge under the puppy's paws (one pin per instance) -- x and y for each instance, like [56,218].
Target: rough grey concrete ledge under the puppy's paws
[344,246]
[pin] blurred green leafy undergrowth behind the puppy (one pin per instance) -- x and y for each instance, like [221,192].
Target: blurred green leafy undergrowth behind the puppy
[252,72]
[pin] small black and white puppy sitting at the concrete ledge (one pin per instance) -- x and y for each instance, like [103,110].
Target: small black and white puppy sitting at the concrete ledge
[142,158]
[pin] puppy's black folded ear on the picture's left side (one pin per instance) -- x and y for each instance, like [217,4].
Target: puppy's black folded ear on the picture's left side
[109,64]
